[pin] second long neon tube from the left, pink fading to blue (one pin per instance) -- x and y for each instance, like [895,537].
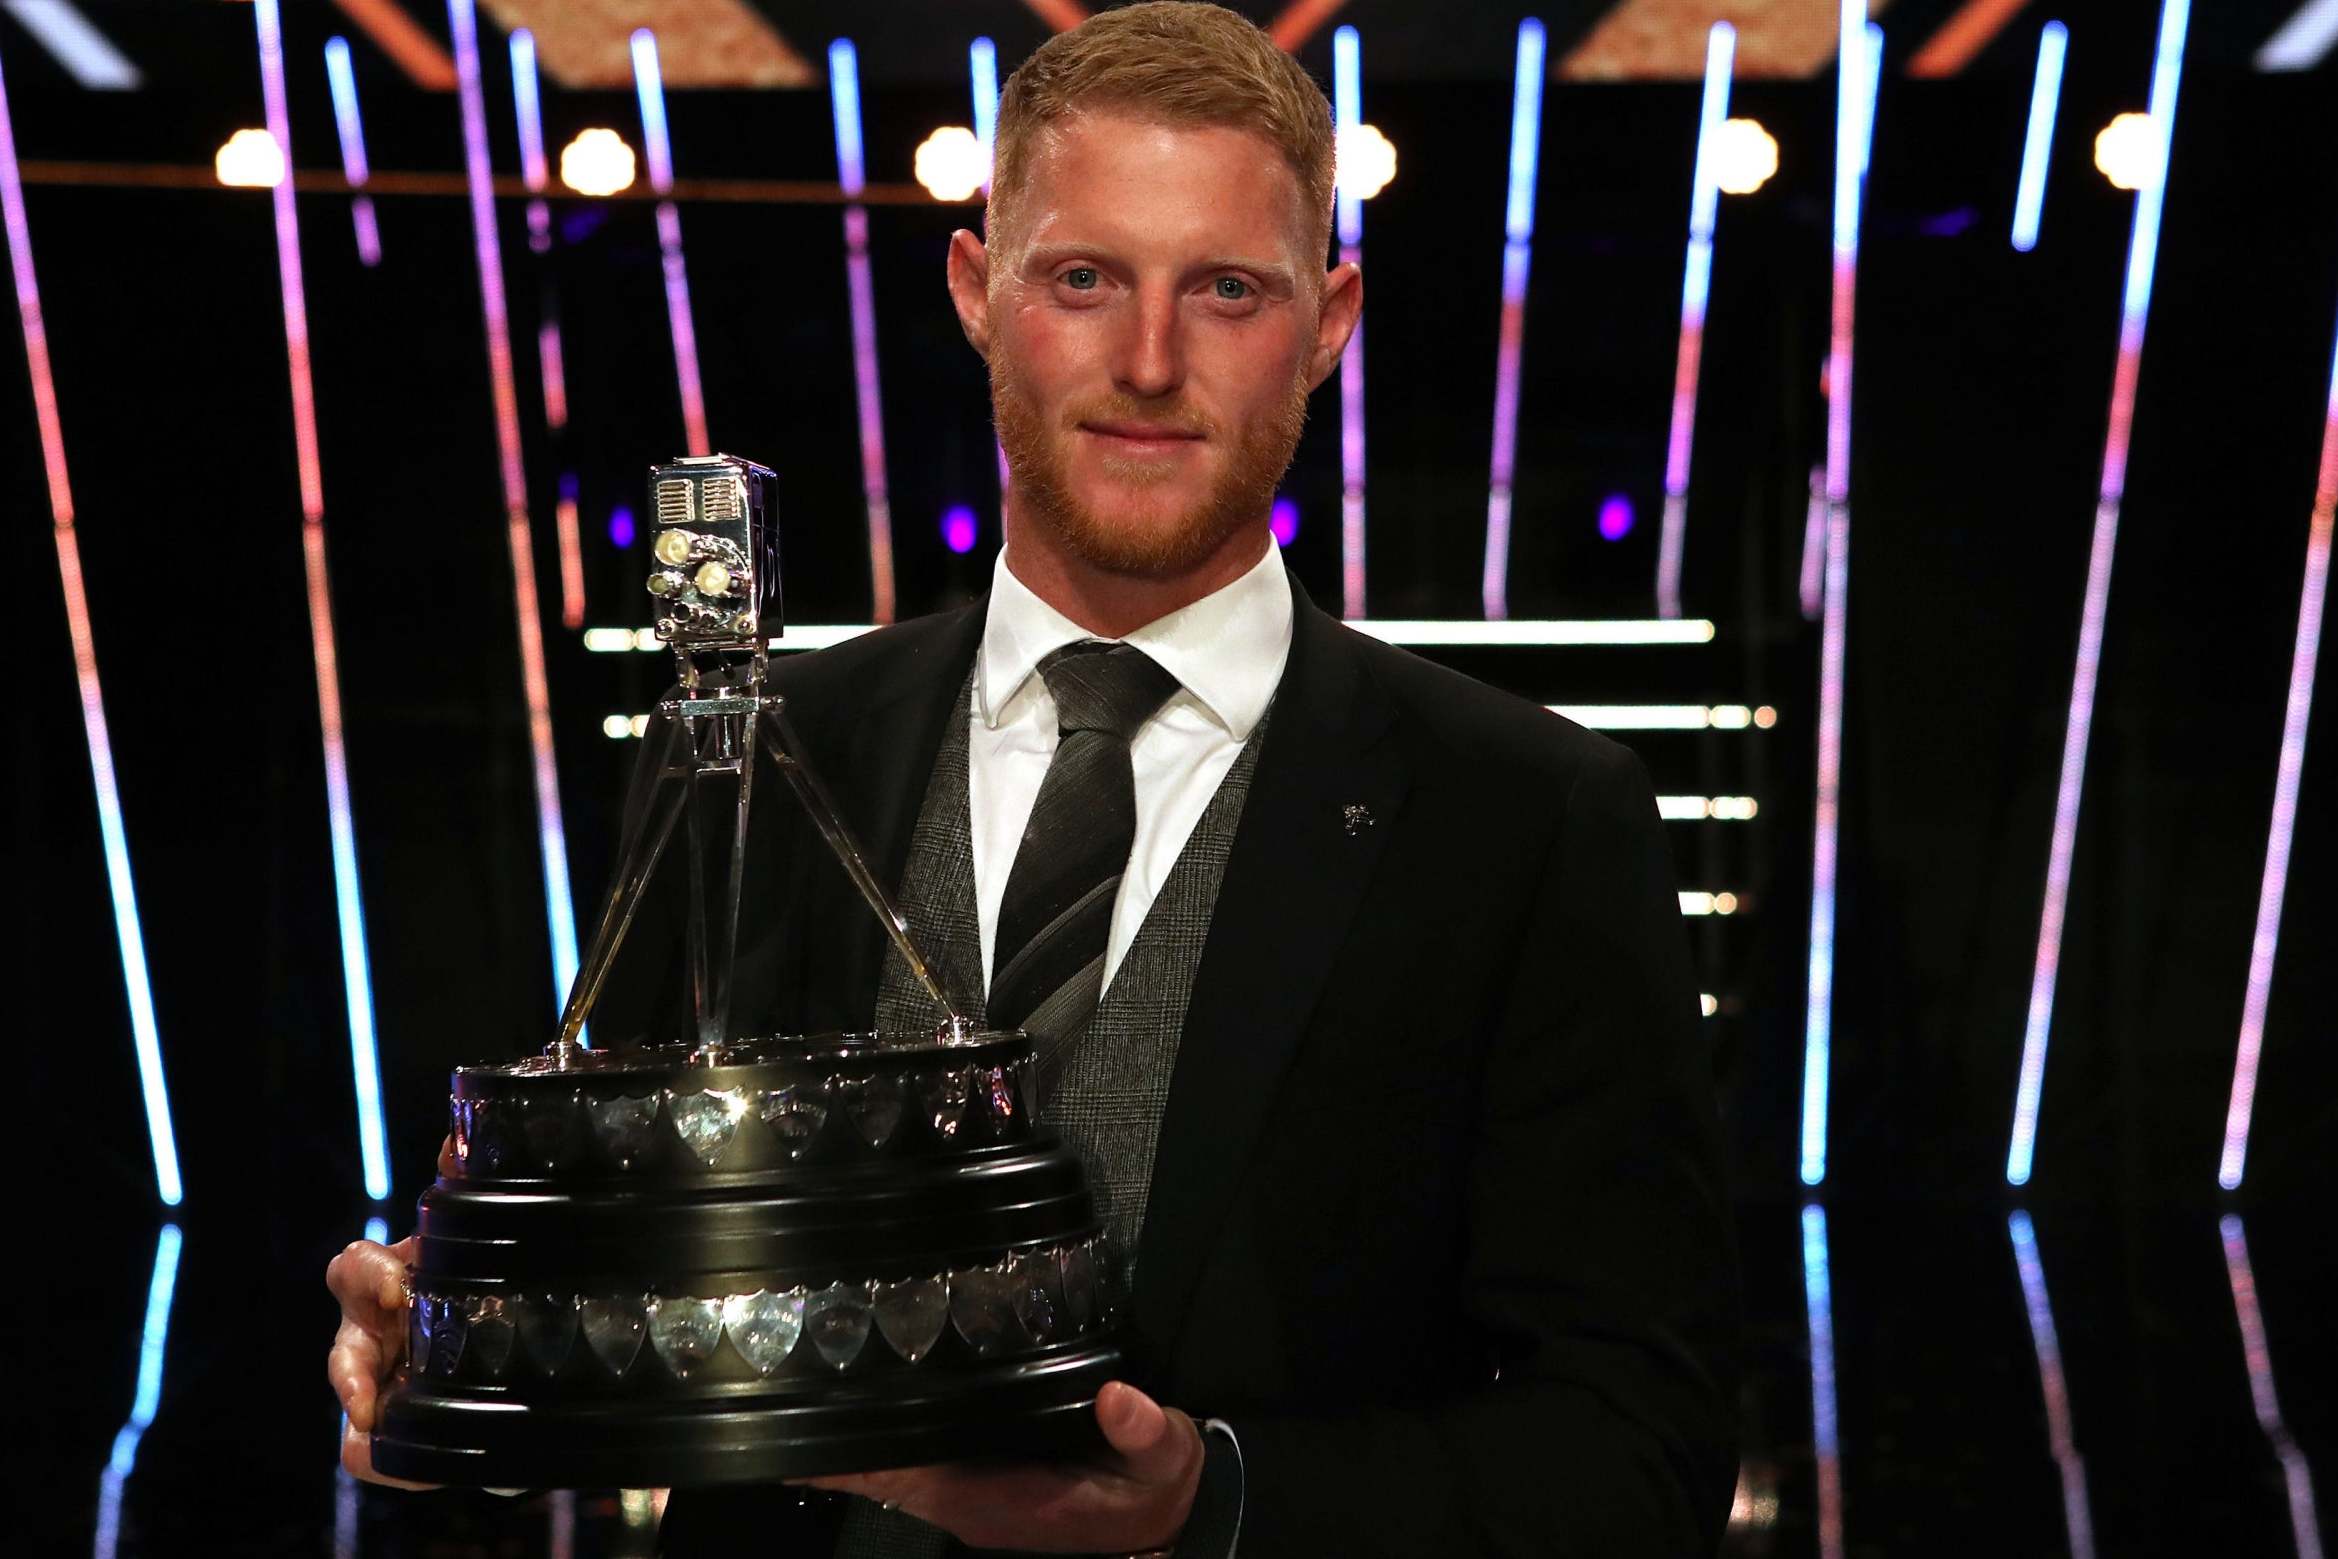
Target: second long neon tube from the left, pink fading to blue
[357,981]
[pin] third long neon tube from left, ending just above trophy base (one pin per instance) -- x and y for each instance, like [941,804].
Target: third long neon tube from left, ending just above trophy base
[518,532]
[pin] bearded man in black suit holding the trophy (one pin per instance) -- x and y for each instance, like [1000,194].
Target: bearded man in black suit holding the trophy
[1364,985]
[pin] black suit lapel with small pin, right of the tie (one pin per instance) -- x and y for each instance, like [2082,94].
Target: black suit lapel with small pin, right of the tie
[1292,887]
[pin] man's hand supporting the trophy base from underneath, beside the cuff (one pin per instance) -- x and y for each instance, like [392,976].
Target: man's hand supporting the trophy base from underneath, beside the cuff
[1135,1497]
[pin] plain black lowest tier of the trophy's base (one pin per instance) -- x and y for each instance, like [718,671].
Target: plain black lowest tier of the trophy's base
[1037,1406]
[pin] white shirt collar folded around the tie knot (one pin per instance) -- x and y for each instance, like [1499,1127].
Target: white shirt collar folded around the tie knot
[1229,649]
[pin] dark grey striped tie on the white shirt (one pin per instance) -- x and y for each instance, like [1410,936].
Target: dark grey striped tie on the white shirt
[1058,913]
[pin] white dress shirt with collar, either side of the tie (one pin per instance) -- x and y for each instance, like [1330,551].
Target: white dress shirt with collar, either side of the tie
[1226,651]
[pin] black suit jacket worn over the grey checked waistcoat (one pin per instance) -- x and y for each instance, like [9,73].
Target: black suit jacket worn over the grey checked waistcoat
[1437,1217]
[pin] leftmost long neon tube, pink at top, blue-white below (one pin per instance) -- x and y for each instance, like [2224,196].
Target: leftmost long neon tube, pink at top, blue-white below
[146,1039]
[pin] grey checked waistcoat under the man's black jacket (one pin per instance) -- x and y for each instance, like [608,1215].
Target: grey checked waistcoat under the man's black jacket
[1116,1081]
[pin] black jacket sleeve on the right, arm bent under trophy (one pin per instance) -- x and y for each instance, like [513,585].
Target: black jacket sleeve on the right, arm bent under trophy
[1600,1259]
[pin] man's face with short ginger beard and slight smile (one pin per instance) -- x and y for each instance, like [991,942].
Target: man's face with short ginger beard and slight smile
[1154,335]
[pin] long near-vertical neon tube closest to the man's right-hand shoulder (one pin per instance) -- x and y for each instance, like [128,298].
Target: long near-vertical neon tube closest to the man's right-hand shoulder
[1858,81]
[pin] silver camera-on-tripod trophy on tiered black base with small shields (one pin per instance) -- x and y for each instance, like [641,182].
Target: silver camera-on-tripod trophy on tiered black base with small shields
[745,1256]
